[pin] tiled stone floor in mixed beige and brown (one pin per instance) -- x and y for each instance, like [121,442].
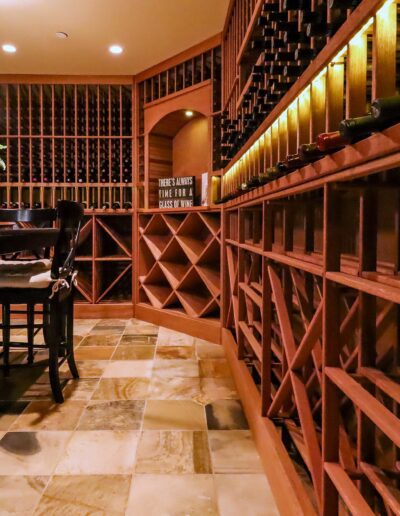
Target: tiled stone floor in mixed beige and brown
[153,427]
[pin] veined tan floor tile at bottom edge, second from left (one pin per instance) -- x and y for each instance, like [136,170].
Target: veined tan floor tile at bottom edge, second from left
[84,495]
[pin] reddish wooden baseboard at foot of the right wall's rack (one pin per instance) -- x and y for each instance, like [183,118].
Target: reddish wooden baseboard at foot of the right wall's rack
[290,495]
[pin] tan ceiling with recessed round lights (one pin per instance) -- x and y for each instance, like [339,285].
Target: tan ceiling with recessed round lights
[149,30]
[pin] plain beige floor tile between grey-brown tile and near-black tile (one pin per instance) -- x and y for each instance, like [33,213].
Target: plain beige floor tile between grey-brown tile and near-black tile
[173,415]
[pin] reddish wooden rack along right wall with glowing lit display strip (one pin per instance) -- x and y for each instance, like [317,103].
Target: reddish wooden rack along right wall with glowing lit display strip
[311,282]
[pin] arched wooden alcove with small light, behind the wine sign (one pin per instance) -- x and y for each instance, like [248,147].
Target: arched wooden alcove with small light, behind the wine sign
[178,145]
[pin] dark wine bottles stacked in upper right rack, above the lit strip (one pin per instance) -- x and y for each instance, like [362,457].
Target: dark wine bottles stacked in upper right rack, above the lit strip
[283,43]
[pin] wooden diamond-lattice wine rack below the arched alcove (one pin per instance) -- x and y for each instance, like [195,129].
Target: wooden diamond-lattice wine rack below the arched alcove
[179,262]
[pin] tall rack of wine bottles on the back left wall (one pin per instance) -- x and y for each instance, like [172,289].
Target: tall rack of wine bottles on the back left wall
[69,137]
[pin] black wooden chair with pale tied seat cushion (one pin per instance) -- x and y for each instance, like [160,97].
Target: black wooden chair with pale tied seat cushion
[41,281]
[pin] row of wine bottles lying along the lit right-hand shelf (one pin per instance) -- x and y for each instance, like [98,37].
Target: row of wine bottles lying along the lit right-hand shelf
[384,113]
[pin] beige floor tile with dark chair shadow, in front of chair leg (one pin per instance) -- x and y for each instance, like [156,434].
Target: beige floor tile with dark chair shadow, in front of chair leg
[47,415]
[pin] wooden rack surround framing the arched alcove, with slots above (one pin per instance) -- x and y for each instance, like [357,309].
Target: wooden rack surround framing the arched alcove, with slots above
[185,76]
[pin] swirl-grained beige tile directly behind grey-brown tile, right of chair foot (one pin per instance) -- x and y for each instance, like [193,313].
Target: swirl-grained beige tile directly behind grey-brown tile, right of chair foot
[122,389]
